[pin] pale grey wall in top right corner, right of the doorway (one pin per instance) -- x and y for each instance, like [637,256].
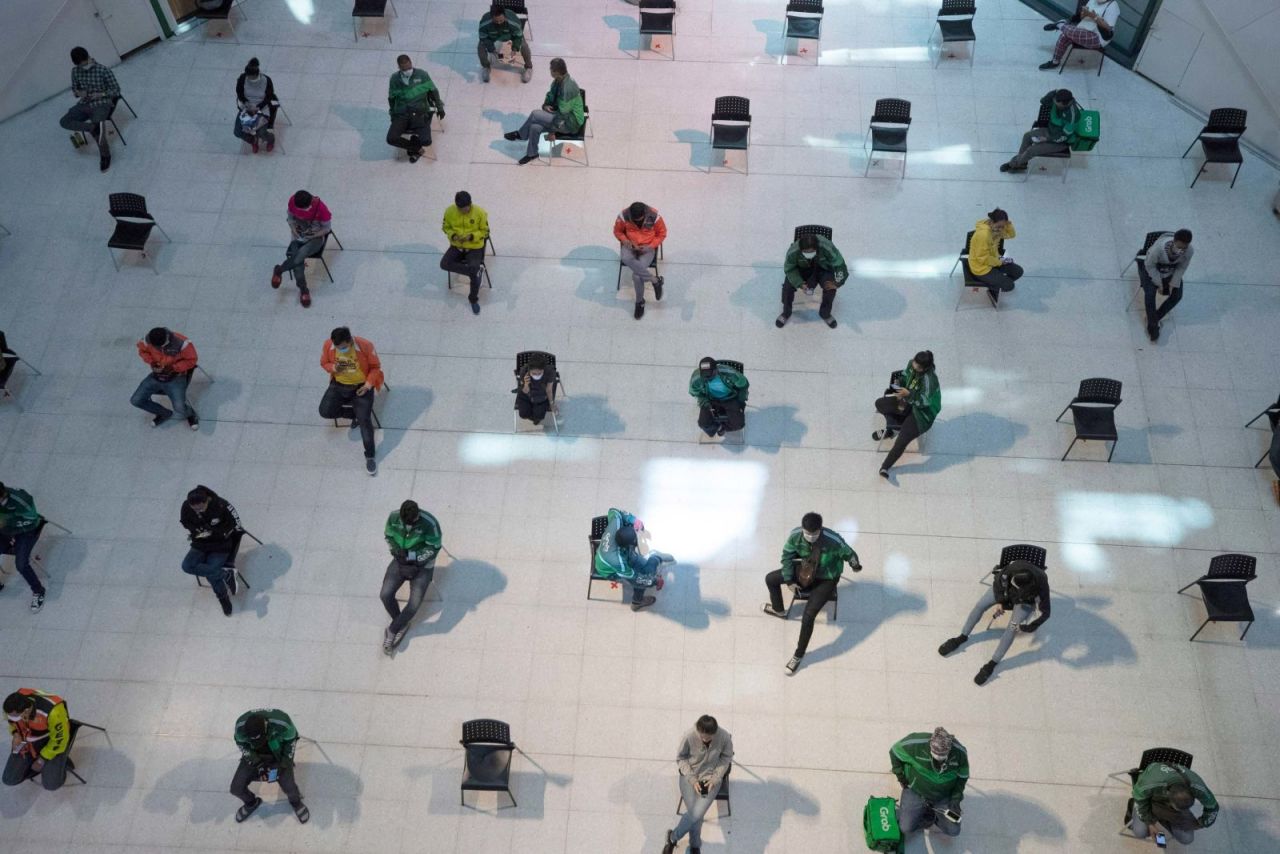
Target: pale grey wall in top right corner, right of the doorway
[1220,54]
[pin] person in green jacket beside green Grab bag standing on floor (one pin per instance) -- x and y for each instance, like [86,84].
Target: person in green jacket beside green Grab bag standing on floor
[932,771]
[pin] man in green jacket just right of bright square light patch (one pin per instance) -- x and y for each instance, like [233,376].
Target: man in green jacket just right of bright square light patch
[813,560]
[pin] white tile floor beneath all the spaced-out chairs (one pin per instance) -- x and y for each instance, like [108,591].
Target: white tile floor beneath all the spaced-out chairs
[598,697]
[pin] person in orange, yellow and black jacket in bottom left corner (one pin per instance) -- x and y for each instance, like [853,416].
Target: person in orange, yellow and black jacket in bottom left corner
[42,734]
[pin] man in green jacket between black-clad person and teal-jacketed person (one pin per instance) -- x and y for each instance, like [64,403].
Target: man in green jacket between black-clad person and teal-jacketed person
[414,538]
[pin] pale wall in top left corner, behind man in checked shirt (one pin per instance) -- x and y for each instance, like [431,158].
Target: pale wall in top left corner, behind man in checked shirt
[36,38]
